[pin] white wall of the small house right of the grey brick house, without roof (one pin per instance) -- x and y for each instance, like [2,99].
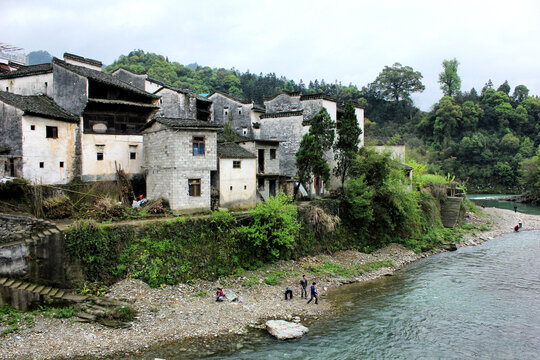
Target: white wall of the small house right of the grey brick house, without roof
[237,186]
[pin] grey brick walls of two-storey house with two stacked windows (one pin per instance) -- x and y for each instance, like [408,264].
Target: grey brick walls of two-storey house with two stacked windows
[170,163]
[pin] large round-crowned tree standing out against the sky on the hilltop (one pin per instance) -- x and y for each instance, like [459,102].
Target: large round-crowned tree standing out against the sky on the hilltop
[398,82]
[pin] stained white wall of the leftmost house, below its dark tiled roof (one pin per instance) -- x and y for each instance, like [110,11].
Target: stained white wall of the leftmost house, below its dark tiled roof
[51,152]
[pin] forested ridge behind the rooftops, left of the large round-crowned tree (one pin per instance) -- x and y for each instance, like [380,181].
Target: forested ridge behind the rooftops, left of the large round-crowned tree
[204,80]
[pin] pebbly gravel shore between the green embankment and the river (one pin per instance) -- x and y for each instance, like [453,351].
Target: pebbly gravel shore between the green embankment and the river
[173,313]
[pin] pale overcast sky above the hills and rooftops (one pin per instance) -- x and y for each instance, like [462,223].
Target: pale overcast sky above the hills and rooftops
[347,41]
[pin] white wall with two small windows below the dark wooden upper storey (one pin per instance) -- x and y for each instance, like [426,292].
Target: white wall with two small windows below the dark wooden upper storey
[115,148]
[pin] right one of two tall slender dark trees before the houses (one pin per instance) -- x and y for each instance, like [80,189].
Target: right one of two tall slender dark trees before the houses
[346,147]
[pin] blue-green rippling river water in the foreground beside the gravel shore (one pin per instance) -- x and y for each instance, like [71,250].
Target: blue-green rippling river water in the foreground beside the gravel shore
[479,302]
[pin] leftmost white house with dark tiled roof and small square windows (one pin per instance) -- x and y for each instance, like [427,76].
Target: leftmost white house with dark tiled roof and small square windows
[37,139]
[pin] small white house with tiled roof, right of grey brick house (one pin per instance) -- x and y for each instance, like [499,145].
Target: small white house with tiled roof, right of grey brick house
[237,176]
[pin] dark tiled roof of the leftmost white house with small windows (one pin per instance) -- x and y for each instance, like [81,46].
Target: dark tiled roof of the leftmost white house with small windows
[40,105]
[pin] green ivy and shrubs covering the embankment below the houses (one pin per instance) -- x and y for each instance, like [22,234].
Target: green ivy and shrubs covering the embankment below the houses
[372,212]
